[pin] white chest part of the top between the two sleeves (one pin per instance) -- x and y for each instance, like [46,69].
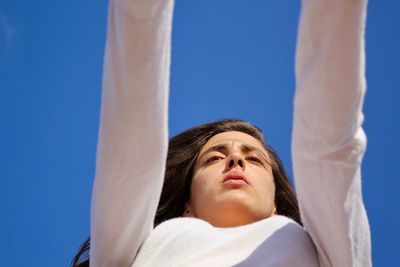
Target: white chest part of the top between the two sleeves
[276,241]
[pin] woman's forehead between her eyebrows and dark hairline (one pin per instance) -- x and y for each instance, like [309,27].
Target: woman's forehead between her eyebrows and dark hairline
[231,138]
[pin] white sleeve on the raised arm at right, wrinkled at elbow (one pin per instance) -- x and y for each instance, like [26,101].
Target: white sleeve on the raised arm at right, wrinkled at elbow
[328,142]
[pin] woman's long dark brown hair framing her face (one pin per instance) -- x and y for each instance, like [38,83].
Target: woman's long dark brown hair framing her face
[183,150]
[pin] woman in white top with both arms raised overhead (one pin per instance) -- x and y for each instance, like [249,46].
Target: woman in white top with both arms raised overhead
[229,211]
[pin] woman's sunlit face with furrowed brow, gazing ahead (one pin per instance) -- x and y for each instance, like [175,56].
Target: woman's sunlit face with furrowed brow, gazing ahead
[232,181]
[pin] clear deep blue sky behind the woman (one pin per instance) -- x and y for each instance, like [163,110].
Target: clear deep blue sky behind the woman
[230,59]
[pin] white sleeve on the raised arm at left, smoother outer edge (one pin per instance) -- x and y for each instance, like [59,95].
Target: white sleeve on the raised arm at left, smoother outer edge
[133,136]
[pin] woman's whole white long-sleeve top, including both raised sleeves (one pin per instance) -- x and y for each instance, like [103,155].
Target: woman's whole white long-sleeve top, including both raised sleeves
[328,145]
